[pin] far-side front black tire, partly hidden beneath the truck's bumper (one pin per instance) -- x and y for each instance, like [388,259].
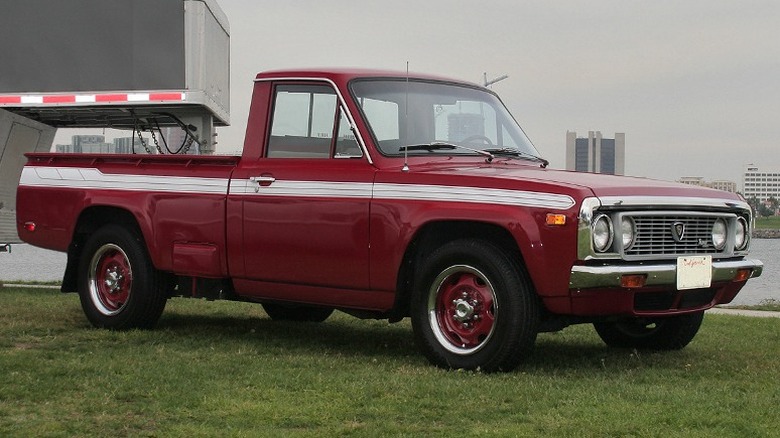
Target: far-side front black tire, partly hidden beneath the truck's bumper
[672,333]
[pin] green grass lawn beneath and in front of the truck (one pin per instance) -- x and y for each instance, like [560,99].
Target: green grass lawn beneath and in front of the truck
[225,369]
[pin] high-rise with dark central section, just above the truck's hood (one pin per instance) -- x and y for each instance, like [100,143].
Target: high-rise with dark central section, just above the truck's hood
[595,153]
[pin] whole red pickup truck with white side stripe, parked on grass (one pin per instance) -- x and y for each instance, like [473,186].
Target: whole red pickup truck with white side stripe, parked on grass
[387,196]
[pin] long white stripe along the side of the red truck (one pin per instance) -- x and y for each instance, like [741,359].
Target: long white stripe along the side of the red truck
[95,179]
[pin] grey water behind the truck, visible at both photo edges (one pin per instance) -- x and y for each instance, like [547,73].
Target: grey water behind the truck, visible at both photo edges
[28,263]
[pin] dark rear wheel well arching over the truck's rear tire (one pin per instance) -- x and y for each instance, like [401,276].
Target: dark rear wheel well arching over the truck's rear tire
[90,220]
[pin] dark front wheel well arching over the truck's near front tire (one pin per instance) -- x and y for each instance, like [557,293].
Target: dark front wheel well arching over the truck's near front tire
[432,236]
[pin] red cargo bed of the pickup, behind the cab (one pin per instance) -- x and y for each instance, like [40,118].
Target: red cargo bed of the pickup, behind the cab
[68,189]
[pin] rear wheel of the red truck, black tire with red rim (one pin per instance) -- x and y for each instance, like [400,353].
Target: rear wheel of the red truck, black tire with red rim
[119,287]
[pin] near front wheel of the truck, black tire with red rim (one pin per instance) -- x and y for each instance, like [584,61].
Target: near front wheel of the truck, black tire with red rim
[473,308]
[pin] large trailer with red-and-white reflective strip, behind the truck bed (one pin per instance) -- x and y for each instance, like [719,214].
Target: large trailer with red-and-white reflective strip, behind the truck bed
[137,65]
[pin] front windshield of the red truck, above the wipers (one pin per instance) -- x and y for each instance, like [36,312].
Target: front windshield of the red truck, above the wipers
[404,114]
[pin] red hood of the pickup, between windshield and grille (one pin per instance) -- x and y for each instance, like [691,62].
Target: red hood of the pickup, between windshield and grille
[562,181]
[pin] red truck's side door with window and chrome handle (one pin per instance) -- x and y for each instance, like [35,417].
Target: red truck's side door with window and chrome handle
[306,201]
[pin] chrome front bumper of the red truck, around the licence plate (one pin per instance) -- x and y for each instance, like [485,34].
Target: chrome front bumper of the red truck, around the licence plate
[609,276]
